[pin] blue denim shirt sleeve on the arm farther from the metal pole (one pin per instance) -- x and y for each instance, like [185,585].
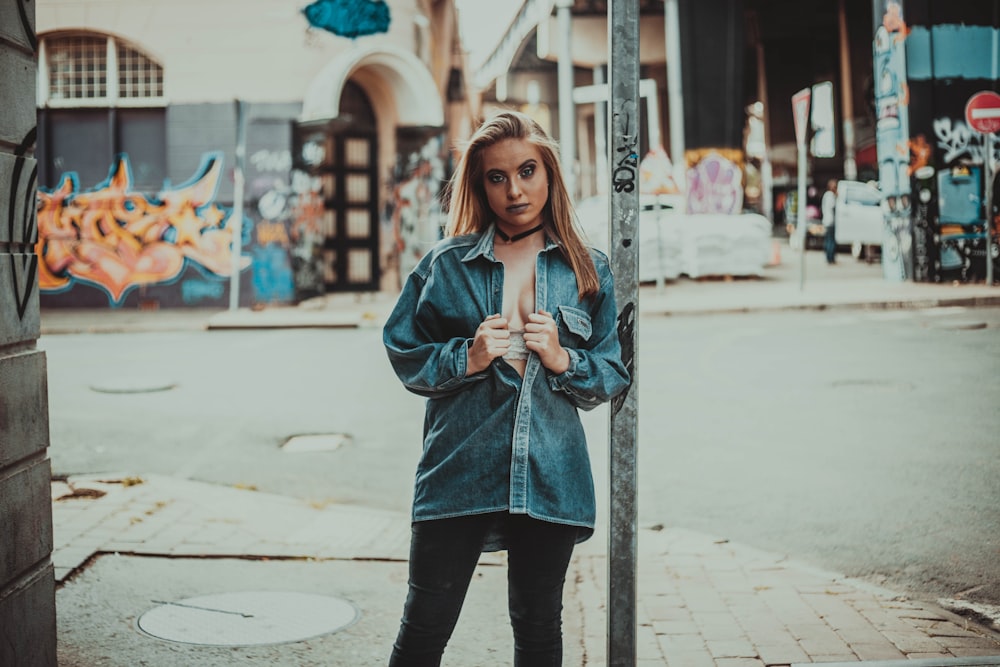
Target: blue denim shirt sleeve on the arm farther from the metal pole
[426,366]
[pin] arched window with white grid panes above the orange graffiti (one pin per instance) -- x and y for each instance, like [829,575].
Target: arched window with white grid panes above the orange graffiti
[99,96]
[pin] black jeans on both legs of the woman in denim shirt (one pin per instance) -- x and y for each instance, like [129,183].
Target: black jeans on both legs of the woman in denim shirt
[443,557]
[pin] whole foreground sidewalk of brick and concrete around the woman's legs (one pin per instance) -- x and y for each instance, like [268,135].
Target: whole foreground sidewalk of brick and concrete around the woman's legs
[702,602]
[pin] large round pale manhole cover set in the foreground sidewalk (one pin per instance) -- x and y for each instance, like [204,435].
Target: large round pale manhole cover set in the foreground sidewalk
[248,618]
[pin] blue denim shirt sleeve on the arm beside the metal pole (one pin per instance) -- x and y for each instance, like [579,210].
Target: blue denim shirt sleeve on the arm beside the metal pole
[596,373]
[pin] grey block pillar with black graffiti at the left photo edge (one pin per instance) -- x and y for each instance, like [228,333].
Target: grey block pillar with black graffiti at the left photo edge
[27,584]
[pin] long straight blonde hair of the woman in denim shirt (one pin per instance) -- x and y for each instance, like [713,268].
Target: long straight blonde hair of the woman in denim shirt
[469,210]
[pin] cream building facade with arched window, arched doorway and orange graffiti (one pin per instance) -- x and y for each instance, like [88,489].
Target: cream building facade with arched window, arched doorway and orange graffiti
[203,153]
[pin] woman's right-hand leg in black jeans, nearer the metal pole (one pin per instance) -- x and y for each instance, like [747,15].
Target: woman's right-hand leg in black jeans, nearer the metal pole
[538,558]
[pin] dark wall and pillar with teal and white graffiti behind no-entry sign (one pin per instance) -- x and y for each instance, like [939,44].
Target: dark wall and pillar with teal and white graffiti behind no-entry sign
[931,162]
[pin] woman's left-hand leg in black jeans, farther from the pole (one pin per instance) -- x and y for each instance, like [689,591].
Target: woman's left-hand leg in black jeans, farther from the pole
[443,556]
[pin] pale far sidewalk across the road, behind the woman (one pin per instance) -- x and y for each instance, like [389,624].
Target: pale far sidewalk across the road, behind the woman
[786,286]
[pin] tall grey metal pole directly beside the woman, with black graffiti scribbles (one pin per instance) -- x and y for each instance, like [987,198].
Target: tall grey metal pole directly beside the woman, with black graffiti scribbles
[623,147]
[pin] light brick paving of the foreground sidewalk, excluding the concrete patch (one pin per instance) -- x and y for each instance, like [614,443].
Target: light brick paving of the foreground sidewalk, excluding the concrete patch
[701,602]
